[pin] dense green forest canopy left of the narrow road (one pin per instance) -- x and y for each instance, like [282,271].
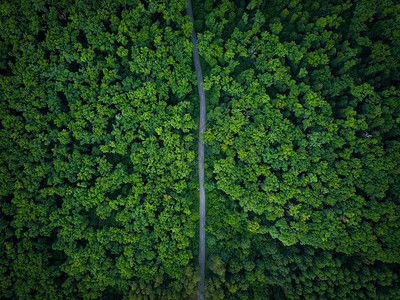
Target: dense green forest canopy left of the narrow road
[97,155]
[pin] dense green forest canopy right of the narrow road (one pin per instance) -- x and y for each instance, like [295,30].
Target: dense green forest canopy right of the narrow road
[302,148]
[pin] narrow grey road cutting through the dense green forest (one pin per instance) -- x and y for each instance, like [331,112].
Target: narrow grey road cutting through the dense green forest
[202,248]
